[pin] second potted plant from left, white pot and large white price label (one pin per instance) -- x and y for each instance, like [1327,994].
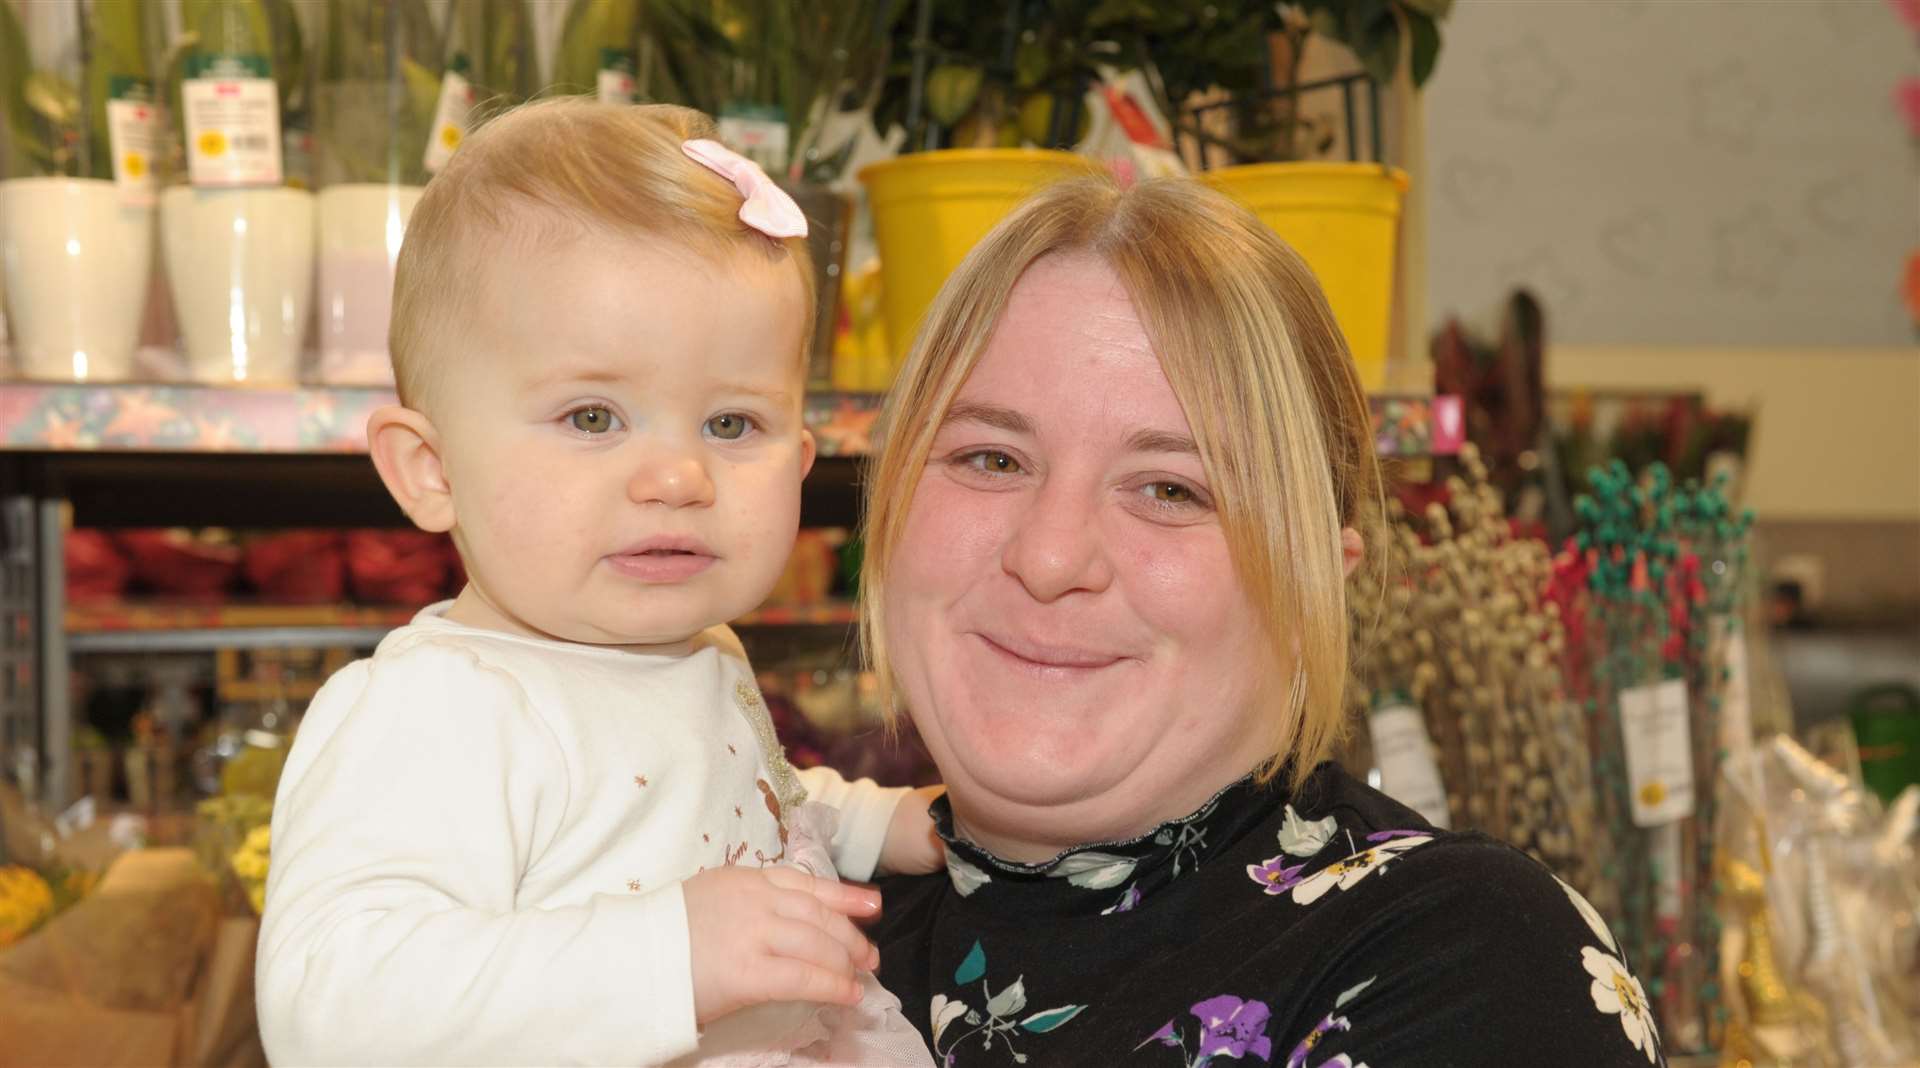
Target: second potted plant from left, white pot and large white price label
[237,233]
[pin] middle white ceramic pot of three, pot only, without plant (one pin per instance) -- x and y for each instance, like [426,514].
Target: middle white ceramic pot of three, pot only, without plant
[241,262]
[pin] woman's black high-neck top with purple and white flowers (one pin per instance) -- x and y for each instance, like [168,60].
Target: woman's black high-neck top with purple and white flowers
[1328,929]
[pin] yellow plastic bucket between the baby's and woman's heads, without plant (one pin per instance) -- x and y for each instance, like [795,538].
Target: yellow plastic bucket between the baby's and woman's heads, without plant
[932,208]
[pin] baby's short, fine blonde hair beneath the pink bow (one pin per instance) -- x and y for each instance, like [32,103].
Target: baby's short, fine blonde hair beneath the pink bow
[556,168]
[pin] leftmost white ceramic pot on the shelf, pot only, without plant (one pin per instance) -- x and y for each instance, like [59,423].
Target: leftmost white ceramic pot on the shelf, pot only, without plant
[78,262]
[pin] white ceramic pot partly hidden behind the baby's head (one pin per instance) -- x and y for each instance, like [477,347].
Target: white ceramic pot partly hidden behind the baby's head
[362,228]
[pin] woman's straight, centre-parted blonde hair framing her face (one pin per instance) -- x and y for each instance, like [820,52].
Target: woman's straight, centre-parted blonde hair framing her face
[1259,366]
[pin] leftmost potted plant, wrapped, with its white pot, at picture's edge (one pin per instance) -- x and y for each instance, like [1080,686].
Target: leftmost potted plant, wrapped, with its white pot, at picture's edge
[76,201]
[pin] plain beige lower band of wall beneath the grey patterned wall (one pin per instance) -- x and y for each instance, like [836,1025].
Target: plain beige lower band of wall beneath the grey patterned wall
[1836,431]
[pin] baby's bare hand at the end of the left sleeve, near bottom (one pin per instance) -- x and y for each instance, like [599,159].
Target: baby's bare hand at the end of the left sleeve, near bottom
[775,934]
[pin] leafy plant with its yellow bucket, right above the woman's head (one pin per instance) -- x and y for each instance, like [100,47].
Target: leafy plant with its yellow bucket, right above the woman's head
[1247,57]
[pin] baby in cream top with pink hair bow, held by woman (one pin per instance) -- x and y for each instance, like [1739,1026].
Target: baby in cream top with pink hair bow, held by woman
[548,823]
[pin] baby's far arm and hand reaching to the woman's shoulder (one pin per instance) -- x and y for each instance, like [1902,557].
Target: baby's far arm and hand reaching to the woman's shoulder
[882,831]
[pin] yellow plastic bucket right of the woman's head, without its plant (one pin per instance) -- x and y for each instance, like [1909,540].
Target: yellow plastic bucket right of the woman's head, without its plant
[1345,222]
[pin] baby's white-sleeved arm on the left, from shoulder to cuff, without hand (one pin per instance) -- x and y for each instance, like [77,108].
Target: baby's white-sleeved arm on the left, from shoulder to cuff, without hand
[410,813]
